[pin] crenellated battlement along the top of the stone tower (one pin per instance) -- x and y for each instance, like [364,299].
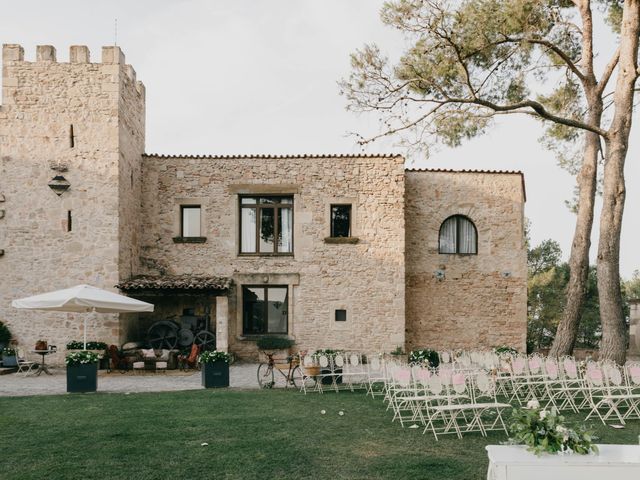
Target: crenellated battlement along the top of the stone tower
[13,54]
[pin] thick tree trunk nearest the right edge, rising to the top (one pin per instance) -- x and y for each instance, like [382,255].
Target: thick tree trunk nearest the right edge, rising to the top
[614,332]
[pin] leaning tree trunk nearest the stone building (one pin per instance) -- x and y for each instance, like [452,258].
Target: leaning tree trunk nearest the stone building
[567,331]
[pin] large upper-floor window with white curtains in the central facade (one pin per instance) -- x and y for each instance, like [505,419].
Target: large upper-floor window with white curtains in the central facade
[266,225]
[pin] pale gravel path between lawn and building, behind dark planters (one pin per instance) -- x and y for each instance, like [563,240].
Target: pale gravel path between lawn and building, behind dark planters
[241,375]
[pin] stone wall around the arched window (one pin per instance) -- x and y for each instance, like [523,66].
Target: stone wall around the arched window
[474,301]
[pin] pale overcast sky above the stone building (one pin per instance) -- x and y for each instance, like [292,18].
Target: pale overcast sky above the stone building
[240,76]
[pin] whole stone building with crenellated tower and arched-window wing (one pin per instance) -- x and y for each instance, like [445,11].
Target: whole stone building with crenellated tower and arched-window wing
[336,251]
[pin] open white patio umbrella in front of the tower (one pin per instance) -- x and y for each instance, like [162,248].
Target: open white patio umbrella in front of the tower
[83,298]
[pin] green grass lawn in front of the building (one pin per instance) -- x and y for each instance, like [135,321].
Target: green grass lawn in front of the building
[251,434]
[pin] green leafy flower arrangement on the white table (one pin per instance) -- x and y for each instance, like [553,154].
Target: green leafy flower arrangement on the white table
[544,431]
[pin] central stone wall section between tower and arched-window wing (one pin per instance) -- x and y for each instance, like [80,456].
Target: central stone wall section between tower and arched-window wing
[366,279]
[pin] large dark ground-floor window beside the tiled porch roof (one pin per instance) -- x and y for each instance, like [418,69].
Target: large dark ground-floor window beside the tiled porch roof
[264,310]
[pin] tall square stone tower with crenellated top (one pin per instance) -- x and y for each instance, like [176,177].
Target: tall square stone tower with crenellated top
[71,140]
